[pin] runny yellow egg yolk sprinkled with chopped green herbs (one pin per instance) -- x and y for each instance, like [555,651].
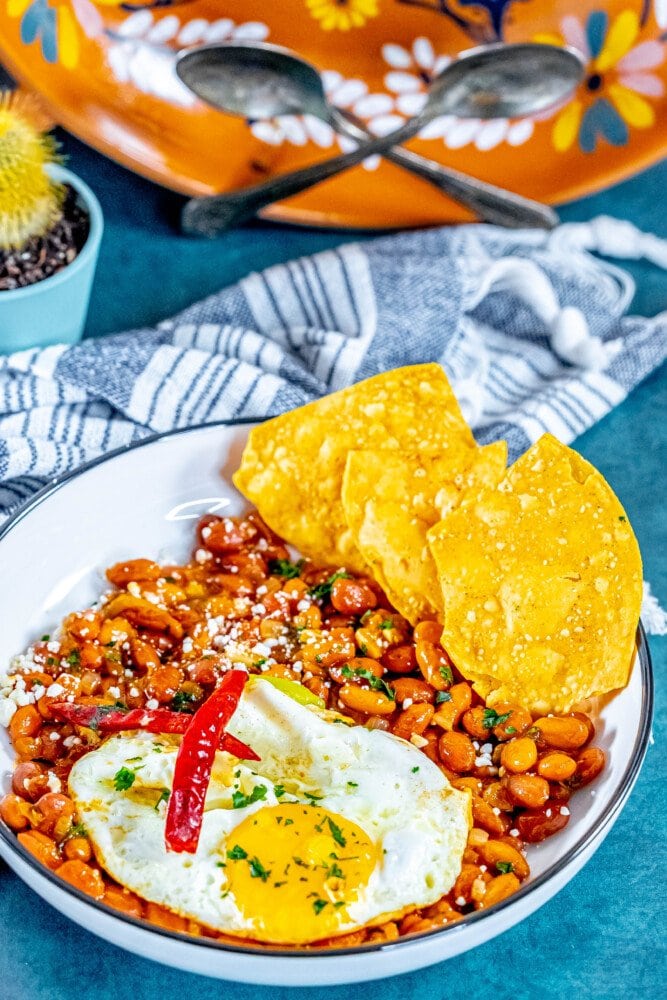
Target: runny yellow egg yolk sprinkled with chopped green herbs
[293,869]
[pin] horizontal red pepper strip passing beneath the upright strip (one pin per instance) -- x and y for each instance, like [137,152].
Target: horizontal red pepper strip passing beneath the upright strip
[109,719]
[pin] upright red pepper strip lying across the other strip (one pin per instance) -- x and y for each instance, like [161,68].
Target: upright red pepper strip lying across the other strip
[194,763]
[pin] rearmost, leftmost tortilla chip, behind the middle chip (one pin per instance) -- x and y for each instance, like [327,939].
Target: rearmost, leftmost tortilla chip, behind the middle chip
[292,466]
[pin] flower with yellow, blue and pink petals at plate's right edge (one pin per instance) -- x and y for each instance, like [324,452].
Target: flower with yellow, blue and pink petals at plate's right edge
[613,95]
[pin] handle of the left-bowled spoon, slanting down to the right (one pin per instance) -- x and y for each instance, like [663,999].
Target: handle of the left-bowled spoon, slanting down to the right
[488,202]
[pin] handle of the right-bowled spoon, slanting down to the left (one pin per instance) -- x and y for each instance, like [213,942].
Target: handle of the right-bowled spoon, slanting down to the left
[213,215]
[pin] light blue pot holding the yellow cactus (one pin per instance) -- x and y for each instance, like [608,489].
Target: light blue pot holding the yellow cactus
[53,311]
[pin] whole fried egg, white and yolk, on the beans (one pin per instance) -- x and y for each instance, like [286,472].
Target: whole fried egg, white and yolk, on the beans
[336,828]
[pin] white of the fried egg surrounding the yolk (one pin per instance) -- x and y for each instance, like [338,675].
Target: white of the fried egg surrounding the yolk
[384,784]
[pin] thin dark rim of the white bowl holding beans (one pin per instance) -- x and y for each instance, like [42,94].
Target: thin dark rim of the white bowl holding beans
[591,837]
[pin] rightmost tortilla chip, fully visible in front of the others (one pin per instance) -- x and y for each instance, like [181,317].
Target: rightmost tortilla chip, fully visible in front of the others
[542,583]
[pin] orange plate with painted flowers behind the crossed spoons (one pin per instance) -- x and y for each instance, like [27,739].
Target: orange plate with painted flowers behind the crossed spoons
[106,70]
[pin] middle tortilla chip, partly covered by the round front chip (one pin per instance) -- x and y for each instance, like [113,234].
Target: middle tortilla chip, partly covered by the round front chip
[392,498]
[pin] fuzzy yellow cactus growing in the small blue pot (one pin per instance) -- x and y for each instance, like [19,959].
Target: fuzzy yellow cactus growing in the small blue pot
[30,201]
